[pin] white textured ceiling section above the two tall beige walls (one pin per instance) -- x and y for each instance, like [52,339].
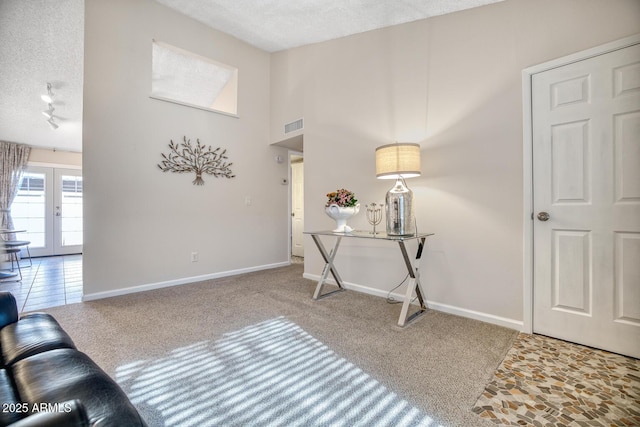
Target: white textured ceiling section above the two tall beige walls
[274,25]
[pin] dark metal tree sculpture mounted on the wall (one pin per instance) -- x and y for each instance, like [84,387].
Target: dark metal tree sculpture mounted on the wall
[200,159]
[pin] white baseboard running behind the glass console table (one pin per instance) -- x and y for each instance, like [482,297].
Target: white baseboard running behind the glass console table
[445,308]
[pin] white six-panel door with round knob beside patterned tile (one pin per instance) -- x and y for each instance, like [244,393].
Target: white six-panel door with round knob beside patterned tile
[586,197]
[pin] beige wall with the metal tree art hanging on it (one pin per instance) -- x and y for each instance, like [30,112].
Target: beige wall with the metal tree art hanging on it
[142,224]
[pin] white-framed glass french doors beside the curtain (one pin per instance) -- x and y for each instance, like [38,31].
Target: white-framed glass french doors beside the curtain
[49,207]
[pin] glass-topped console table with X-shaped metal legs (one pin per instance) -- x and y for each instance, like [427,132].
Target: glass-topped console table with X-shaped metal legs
[412,267]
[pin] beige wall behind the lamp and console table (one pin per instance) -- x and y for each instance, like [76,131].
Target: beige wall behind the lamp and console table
[453,84]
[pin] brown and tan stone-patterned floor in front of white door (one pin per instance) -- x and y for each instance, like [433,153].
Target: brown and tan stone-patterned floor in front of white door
[547,382]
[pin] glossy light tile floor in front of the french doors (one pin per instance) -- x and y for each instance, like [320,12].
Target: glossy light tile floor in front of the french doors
[50,282]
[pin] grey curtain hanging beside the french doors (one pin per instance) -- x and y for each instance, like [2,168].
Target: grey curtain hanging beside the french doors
[13,161]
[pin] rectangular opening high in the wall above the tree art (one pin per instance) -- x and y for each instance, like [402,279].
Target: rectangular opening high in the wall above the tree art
[186,78]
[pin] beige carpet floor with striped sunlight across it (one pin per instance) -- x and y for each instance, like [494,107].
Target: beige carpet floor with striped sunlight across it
[256,350]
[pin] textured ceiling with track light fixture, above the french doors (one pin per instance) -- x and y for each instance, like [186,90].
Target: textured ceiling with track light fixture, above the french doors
[41,41]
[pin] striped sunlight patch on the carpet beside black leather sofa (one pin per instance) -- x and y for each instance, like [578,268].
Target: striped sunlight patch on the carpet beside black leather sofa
[269,374]
